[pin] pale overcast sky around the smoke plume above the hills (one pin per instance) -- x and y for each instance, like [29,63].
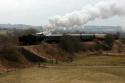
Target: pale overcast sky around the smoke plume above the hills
[37,12]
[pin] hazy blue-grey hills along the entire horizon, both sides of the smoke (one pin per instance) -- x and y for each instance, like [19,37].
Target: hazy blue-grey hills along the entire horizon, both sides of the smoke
[83,29]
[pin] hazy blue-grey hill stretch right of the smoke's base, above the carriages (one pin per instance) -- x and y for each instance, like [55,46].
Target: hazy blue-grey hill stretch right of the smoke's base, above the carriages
[91,29]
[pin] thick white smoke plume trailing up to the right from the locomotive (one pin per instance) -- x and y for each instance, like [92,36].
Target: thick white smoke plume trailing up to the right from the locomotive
[103,10]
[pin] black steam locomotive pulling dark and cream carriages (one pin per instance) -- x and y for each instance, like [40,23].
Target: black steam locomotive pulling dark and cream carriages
[56,38]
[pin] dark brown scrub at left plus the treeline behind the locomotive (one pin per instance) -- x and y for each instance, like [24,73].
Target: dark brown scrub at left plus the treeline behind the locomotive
[10,56]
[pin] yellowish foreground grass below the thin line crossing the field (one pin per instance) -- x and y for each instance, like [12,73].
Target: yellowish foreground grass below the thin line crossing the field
[66,75]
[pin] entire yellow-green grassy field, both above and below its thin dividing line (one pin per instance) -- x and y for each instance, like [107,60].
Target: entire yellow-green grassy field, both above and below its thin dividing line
[72,74]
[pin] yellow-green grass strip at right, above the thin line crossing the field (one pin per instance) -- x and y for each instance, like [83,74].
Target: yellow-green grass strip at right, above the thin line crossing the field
[99,60]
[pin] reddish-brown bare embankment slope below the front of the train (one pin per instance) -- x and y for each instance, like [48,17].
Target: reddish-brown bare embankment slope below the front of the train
[48,52]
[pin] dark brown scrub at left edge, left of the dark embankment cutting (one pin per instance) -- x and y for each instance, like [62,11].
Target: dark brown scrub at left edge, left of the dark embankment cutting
[9,52]
